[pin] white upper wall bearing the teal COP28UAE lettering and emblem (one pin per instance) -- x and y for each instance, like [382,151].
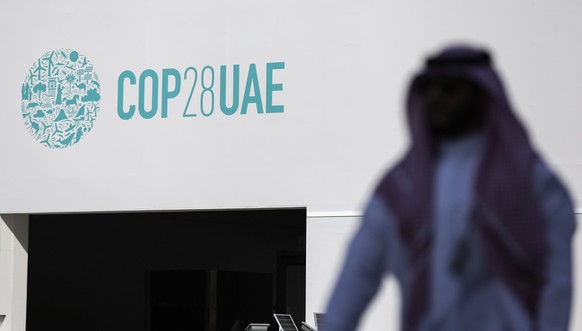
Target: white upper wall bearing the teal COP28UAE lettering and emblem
[157,105]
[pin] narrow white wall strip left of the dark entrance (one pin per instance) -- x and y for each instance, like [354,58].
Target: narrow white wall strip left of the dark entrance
[13,271]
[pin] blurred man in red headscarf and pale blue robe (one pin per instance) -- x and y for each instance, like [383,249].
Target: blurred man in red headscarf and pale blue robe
[473,224]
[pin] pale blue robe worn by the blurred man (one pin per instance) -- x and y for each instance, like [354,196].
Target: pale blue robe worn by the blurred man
[475,299]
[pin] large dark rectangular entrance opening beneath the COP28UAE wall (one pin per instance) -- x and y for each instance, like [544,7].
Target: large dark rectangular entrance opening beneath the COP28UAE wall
[165,271]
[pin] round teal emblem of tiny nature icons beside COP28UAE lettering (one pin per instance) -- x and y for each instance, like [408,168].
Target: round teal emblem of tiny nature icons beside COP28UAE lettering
[60,98]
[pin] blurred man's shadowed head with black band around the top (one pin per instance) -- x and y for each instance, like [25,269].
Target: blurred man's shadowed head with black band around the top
[453,93]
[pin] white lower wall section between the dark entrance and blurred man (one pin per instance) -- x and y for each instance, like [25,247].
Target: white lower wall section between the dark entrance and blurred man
[328,237]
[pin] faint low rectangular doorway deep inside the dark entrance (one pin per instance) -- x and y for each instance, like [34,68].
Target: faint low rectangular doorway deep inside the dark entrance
[208,300]
